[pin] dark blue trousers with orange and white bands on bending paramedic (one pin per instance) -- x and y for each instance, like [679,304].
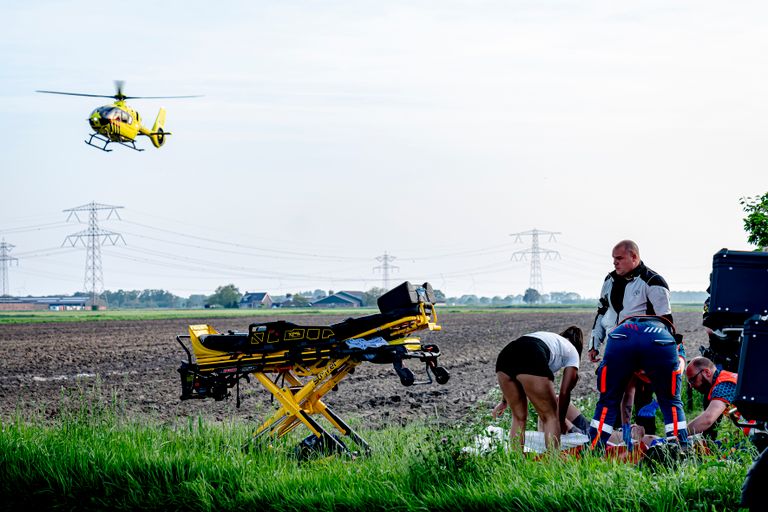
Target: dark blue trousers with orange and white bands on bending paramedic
[639,343]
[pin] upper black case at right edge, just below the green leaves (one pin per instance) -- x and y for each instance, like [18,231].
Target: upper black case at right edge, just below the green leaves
[738,288]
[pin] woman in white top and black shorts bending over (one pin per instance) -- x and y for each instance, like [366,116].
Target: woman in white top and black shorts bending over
[525,370]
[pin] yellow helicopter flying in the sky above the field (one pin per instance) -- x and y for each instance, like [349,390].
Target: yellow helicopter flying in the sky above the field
[120,123]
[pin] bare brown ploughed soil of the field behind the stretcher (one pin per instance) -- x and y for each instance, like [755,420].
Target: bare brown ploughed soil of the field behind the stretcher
[136,363]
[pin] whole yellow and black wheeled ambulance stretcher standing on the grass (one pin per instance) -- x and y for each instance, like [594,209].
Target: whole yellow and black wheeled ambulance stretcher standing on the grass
[308,361]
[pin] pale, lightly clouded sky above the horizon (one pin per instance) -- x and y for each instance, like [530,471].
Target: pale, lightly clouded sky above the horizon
[331,133]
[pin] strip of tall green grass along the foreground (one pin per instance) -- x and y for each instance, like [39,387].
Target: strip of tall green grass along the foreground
[93,457]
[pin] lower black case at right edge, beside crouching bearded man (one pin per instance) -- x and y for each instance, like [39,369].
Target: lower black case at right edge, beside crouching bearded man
[752,386]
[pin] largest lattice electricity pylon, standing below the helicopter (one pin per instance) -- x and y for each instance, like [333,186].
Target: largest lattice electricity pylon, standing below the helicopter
[92,239]
